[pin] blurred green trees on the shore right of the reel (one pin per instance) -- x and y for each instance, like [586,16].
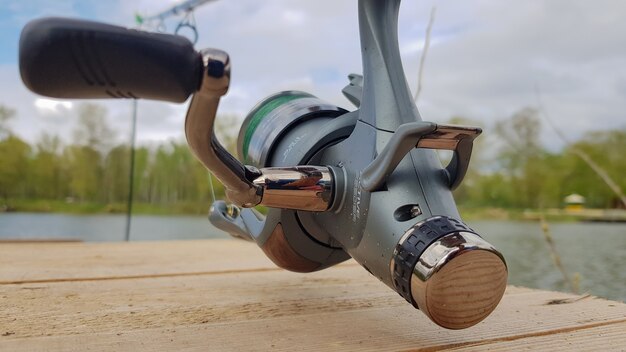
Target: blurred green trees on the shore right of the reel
[511,168]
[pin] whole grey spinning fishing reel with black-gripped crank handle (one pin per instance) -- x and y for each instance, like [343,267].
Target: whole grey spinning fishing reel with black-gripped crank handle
[367,184]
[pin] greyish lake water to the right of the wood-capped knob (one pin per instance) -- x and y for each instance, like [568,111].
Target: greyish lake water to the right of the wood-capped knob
[597,251]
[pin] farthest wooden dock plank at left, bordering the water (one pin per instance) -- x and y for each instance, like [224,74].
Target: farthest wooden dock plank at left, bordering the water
[43,262]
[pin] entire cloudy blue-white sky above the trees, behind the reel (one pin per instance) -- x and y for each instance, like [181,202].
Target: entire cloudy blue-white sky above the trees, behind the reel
[487,60]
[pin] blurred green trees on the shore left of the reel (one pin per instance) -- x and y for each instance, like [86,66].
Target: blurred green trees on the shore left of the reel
[91,170]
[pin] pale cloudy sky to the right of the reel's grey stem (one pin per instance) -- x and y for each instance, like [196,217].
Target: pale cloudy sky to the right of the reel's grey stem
[568,49]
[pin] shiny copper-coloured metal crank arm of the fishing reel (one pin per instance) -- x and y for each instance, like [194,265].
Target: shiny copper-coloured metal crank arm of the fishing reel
[302,187]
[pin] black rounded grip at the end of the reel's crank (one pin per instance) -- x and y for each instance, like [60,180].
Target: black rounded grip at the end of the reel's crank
[68,58]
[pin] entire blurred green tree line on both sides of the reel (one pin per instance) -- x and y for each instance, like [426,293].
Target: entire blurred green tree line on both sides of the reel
[510,167]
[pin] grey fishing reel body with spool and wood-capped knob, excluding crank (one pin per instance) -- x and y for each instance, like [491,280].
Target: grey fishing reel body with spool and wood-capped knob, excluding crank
[392,208]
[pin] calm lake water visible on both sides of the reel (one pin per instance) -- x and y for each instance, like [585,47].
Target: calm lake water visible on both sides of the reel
[596,251]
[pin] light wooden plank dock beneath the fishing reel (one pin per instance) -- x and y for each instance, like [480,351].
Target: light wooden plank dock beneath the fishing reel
[224,295]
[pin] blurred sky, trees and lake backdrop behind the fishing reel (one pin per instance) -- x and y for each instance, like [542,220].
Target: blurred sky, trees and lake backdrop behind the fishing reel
[545,80]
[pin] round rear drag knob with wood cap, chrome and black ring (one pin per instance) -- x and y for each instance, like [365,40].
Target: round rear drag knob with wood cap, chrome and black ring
[449,272]
